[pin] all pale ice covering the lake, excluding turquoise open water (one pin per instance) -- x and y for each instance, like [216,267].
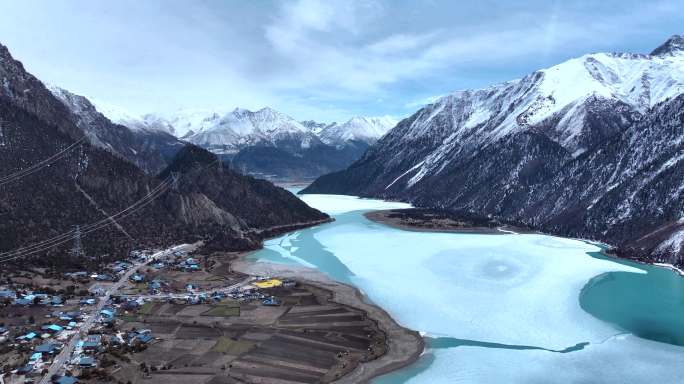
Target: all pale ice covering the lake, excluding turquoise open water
[506,289]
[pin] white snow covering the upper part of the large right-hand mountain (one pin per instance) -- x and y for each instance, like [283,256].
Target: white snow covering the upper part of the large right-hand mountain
[560,100]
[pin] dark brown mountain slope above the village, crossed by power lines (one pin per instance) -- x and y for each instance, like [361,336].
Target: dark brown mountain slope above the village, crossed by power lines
[52,179]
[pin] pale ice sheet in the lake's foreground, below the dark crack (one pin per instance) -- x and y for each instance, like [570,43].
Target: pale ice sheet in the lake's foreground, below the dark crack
[620,360]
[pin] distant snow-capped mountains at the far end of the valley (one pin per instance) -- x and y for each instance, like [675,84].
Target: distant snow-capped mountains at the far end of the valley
[265,143]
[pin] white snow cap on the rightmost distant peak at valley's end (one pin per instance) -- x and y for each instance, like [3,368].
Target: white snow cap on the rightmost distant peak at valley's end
[365,129]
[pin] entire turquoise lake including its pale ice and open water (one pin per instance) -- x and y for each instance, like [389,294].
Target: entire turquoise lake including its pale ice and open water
[507,308]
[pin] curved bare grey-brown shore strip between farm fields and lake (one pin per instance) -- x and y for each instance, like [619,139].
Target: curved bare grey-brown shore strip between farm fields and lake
[404,345]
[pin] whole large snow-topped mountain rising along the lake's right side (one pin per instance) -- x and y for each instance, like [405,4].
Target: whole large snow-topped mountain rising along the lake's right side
[592,147]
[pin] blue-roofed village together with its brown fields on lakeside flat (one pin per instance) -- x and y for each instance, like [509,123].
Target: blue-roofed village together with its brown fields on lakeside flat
[93,325]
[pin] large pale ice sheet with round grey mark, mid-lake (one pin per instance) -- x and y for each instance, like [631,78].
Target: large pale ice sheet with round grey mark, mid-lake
[509,289]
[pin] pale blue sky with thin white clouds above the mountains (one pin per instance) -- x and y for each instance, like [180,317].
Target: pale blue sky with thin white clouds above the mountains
[323,60]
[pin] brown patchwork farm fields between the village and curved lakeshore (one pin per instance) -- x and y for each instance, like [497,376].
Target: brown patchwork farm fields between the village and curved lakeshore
[308,339]
